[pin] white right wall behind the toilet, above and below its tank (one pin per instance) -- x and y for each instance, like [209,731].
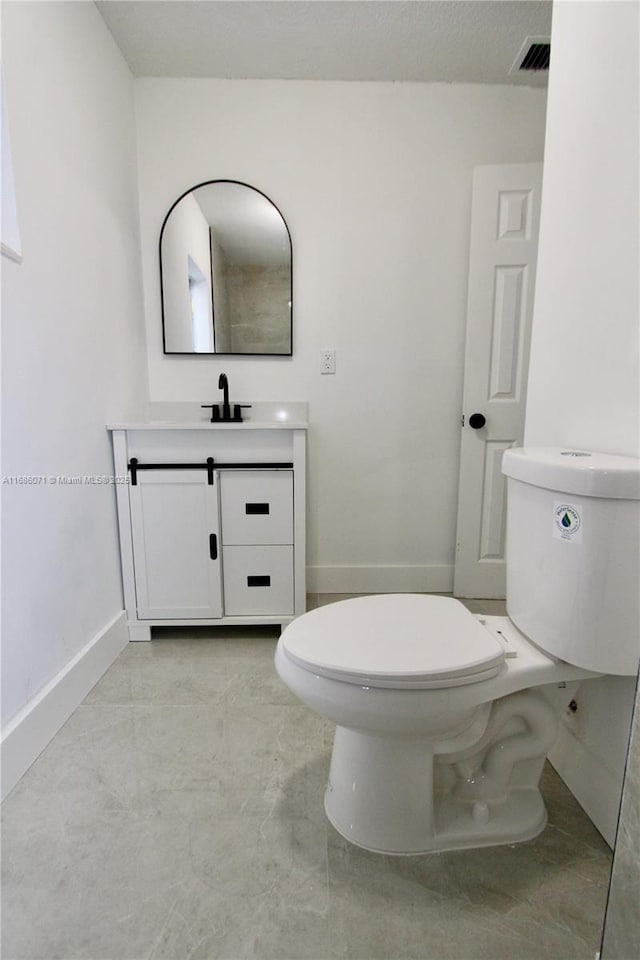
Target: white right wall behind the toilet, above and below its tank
[585,376]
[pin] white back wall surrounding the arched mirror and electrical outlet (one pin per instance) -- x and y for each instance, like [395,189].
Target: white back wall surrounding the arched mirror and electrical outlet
[374,181]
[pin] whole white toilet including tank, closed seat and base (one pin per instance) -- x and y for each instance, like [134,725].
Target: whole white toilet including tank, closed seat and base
[443,718]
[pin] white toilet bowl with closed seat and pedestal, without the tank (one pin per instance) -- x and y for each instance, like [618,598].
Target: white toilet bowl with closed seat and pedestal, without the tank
[443,720]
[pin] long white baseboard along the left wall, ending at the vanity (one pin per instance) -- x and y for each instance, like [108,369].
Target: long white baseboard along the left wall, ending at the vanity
[28,733]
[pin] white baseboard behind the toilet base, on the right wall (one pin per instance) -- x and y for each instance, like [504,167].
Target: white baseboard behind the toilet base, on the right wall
[593,785]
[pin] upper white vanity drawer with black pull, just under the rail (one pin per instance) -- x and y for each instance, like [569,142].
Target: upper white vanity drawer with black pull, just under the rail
[256,506]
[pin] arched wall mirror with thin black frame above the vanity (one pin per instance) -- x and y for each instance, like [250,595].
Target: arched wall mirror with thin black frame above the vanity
[225,273]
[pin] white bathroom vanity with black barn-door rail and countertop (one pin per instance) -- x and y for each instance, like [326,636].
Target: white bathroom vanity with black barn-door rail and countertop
[212,517]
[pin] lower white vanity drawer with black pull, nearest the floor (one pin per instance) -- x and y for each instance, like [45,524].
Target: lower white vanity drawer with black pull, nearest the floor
[258,580]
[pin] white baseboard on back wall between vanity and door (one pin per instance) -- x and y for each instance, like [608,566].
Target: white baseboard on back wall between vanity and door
[437,578]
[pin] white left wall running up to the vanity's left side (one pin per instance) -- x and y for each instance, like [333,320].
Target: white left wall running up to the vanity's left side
[73,339]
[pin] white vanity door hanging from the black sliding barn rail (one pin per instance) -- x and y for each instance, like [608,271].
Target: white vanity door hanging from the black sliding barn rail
[175,529]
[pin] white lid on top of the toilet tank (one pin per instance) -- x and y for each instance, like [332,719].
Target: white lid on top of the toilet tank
[581,472]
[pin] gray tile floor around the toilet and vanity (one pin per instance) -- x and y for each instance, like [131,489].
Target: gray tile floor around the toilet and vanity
[178,814]
